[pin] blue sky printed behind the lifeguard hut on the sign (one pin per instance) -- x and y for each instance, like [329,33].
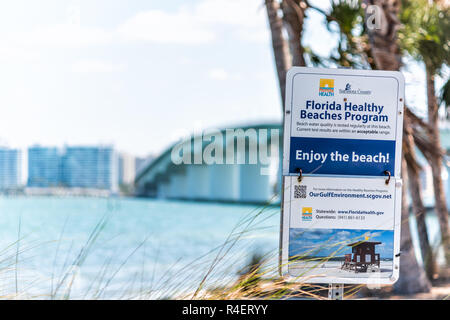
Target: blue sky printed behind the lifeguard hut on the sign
[325,242]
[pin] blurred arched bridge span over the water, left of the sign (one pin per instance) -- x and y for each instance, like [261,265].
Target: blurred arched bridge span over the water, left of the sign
[231,165]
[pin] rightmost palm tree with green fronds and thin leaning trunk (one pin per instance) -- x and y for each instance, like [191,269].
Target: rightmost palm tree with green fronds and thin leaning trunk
[426,37]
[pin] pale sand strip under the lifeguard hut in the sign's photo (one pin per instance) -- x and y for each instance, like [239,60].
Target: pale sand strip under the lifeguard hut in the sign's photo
[333,269]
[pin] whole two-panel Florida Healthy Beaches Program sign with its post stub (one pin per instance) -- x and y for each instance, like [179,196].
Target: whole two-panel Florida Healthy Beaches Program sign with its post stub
[341,177]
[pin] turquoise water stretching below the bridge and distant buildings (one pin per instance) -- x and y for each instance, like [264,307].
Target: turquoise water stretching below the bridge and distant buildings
[147,248]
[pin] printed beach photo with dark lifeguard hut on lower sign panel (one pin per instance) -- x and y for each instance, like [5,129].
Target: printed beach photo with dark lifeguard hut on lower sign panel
[340,252]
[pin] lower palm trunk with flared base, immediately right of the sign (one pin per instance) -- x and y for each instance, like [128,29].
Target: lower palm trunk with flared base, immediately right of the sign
[412,277]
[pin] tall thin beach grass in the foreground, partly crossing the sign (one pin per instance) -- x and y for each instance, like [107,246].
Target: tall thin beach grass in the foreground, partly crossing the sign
[231,270]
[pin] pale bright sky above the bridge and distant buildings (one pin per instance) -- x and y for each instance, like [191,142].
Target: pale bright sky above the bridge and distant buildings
[139,74]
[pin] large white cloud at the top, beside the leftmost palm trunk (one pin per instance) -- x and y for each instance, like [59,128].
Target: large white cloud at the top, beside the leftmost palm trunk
[199,23]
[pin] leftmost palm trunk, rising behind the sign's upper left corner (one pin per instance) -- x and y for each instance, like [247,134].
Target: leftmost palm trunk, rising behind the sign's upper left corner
[280,47]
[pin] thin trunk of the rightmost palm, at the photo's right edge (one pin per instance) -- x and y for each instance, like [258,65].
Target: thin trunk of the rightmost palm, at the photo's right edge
[436,163]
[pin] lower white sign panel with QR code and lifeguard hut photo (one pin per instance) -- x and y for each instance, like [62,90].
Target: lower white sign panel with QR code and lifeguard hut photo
[323,217]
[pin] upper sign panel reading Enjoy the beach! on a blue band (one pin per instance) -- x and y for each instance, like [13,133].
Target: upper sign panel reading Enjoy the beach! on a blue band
[343,122]
